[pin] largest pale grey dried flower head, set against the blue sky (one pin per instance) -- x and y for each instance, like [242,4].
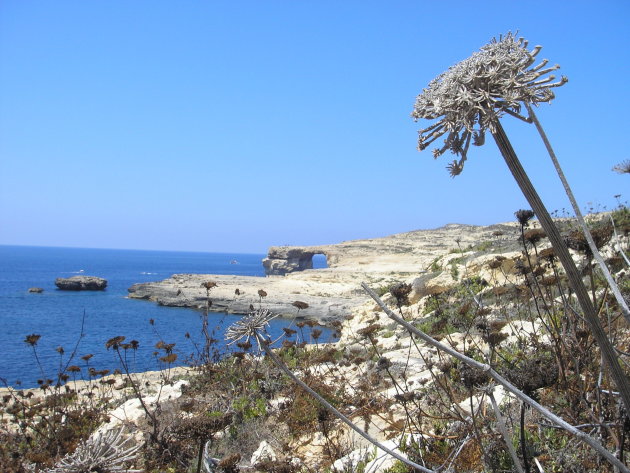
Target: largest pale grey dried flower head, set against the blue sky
[470,96]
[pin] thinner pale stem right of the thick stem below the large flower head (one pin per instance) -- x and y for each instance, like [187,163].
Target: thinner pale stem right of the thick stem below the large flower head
[578,215]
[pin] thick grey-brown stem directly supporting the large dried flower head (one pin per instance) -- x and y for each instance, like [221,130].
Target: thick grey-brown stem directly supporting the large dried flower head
[575,279]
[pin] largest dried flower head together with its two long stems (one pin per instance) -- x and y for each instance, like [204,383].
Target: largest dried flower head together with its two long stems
[467,100]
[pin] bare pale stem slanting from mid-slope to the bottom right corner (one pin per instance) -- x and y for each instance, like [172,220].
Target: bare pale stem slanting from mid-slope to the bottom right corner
[581,436]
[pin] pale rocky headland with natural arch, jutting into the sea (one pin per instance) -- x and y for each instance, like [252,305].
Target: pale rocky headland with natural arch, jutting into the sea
[332,293]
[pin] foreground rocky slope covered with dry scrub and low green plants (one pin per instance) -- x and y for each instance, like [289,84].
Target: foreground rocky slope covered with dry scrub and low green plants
[388,382]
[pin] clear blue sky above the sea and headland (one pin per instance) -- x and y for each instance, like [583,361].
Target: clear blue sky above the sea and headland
[236,125]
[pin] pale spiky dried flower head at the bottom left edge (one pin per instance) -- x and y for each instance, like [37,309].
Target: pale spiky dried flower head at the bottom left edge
[107,453]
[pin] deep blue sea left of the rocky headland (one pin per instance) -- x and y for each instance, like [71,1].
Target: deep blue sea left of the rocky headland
[73,324]
